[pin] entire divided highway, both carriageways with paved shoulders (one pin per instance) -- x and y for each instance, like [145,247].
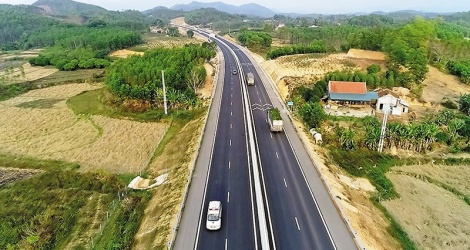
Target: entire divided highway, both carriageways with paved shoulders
[297,203]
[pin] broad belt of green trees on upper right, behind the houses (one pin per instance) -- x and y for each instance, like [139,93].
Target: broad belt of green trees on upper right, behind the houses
[410,46]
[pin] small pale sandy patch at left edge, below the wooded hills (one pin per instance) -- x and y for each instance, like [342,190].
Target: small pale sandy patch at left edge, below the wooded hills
[29,73]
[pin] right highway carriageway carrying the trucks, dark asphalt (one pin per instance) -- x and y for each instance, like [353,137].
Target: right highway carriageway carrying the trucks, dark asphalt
[295,218]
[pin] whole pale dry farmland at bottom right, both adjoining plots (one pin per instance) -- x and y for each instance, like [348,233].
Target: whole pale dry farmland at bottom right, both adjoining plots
[430,214]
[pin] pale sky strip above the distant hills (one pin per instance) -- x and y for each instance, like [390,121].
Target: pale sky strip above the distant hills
[298,6]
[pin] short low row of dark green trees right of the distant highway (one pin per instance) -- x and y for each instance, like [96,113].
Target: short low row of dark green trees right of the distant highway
[315,47]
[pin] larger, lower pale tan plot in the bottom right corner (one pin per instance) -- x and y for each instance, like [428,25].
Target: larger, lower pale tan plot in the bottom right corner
[433,217]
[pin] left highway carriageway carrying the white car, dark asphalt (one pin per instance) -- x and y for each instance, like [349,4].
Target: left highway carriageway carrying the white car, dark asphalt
[229,175]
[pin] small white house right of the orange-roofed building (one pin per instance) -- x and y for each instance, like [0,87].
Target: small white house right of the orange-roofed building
[391,102]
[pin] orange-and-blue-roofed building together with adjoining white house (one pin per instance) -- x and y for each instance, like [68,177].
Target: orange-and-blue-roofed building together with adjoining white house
[356,93]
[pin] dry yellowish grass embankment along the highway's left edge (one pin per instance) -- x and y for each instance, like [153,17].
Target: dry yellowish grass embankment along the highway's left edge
[172,156]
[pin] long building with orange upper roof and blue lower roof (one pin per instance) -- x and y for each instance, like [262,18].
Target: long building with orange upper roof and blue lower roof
[350,93]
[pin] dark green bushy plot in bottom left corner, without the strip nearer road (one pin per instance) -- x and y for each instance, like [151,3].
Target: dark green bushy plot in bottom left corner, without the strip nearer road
[41,211]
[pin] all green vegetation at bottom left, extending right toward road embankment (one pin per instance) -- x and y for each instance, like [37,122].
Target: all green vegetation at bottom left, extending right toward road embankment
[46,209]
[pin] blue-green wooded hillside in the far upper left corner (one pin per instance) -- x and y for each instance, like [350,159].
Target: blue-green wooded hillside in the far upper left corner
[23,27]
